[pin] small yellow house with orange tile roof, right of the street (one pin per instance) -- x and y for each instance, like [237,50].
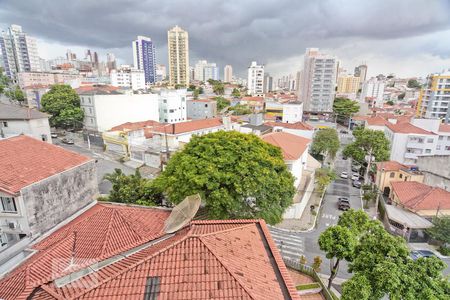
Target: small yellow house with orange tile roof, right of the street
[392,171]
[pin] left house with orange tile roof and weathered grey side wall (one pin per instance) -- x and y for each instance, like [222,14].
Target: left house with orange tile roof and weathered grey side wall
[41,185]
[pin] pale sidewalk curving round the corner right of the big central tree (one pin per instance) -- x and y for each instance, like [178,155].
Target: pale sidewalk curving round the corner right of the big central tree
[307,220]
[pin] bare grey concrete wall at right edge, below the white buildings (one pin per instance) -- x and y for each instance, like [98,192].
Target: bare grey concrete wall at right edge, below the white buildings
[435,172]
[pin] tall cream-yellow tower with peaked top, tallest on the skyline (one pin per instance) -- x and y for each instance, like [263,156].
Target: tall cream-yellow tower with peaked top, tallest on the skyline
[178,55]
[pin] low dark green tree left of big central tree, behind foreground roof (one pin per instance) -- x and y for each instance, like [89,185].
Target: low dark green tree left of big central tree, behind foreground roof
[133,189]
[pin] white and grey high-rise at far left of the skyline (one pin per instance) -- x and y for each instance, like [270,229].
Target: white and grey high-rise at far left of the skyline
[18,51]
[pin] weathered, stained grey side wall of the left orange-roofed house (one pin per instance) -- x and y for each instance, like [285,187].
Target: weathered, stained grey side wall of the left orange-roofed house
[56,198]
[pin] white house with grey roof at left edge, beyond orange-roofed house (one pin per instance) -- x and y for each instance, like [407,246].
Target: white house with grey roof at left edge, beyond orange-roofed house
[16,120]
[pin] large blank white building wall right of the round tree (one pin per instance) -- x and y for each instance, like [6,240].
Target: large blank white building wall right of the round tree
[113,110]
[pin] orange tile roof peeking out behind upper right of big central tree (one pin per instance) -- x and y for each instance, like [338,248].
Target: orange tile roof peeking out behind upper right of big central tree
[291,145]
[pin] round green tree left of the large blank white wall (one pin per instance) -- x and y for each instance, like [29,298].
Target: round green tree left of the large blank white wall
[63,103]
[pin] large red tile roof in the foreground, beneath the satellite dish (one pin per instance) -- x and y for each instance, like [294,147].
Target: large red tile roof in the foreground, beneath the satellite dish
[226,259]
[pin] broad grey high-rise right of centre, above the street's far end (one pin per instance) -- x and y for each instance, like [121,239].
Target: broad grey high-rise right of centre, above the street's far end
[318,81]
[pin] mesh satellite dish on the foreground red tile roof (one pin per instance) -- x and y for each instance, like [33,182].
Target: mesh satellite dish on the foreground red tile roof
[183,213]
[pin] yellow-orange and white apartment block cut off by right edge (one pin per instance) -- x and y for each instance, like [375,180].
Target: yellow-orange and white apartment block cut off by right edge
[434,98]
